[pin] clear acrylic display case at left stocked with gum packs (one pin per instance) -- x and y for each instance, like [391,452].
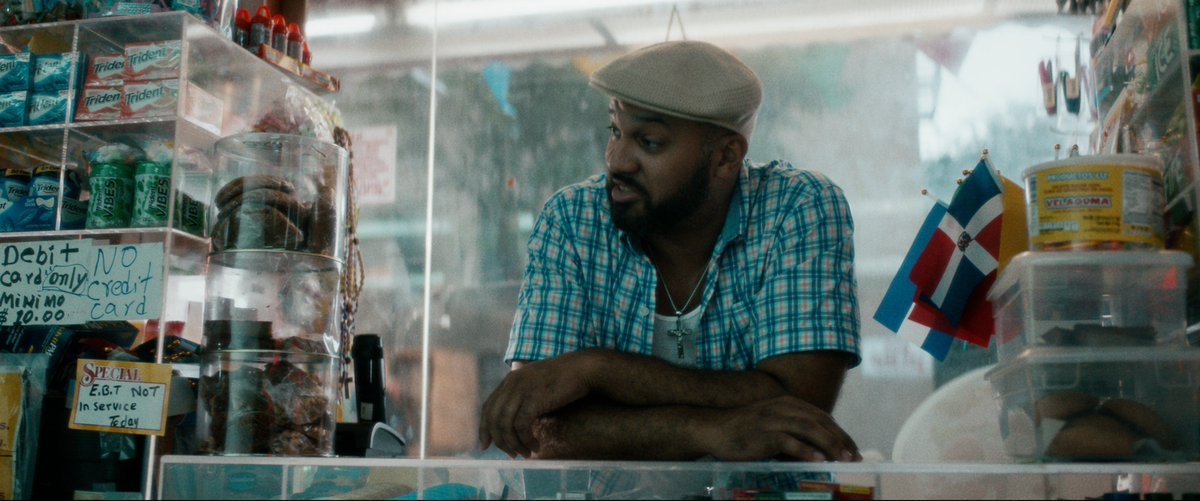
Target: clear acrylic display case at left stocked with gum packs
[175,110]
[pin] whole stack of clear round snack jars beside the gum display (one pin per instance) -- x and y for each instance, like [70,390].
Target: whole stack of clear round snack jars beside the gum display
[273,352]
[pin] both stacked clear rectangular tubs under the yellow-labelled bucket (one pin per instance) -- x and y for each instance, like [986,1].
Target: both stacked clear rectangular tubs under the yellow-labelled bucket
[1094,358]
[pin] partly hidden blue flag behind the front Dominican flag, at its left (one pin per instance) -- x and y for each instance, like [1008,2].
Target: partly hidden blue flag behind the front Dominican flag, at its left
[899,312]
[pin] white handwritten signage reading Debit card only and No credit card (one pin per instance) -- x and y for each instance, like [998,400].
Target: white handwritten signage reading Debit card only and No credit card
[69,282]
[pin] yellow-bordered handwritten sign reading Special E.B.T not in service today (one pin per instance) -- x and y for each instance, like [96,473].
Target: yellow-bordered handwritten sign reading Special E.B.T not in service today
[122,397]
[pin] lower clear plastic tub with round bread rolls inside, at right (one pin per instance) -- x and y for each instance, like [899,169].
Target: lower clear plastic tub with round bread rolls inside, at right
[1108,405]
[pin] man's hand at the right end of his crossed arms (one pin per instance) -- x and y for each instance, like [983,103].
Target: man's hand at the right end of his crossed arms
[783,427]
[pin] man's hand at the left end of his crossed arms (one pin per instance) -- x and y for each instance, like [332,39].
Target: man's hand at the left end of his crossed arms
[527,394]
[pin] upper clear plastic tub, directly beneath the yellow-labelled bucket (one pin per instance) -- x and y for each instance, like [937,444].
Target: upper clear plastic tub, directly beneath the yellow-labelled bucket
[1091,300]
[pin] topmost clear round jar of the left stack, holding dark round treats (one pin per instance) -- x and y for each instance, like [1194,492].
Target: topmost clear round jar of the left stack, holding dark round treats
[280,192]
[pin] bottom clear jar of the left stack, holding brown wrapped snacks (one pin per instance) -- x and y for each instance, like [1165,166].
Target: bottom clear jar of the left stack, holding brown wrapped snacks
[268,403]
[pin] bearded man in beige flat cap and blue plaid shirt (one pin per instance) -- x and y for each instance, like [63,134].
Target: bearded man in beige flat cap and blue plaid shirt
[687,304]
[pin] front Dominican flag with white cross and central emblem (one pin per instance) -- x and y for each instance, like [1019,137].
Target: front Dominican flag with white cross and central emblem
[965,249]
